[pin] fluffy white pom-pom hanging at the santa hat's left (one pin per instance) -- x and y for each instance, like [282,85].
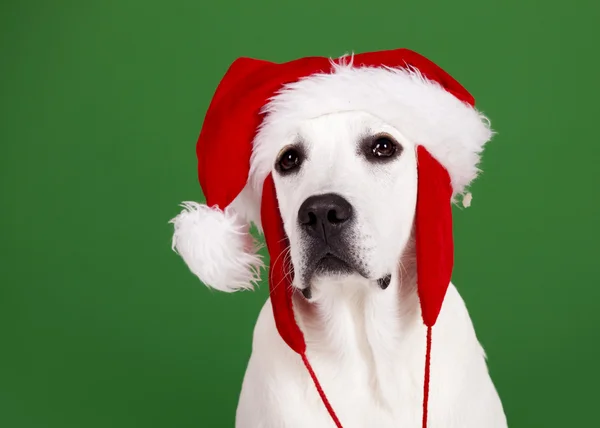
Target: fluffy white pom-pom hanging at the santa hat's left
[217,247]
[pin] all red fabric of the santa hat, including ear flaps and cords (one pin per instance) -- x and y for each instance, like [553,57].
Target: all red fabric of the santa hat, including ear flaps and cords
[224,148]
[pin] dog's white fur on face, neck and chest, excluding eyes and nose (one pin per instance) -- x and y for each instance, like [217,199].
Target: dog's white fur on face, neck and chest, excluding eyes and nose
[366,345]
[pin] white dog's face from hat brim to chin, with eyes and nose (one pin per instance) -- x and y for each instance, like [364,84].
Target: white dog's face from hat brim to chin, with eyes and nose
[346,185]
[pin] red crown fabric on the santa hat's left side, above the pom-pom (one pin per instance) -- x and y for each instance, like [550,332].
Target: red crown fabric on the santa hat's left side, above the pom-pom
[233,116]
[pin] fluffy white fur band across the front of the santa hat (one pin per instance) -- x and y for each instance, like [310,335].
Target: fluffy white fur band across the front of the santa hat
[452,131]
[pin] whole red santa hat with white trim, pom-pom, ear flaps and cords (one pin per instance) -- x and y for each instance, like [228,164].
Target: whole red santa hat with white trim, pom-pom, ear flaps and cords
[254,102]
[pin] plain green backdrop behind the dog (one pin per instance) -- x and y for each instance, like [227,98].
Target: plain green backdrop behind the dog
[101,325]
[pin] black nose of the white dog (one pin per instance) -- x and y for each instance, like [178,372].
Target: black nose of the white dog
[324,216]
